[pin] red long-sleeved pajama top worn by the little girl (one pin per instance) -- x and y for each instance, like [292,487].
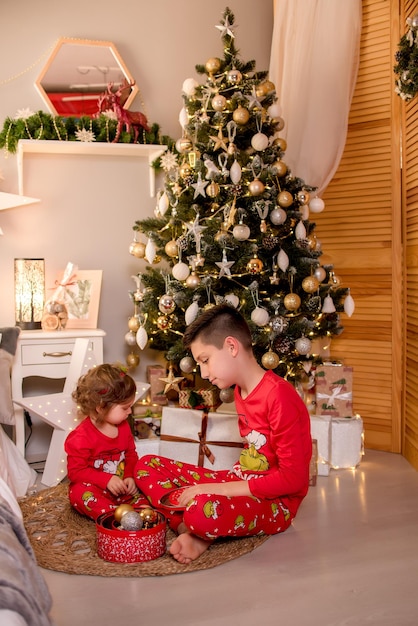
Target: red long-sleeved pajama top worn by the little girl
[93,457]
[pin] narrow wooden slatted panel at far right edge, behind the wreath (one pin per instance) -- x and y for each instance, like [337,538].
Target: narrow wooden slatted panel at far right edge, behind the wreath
[410,213]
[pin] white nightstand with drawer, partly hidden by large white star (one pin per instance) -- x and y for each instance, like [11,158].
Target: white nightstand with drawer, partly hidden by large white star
[46,355]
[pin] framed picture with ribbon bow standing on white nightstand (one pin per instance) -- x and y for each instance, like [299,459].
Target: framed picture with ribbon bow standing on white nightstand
[82,299]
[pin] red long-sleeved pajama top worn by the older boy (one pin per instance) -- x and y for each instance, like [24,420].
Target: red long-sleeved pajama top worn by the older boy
[275,423]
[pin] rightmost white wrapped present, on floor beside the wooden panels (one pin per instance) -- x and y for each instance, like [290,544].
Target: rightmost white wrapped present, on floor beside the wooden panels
[347,442]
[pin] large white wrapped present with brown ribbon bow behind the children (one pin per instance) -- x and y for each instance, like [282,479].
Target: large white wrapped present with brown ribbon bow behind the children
[205,439]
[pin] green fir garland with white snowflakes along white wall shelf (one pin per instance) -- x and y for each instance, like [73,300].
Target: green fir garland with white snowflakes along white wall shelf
[41,125]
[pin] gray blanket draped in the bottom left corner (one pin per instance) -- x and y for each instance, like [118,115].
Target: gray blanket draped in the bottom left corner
[22,586]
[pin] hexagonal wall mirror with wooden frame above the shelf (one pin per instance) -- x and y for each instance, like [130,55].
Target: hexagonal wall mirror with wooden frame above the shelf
[78,72]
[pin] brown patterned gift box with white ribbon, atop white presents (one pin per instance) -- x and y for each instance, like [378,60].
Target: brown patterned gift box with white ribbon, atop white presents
[334,390]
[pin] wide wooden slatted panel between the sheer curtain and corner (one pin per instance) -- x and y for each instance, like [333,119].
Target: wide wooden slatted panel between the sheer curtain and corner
[360,231]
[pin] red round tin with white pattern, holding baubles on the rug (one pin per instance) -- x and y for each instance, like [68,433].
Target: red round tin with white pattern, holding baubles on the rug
[129,546]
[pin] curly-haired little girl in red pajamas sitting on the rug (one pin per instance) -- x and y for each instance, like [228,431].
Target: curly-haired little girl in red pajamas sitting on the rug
[101,453]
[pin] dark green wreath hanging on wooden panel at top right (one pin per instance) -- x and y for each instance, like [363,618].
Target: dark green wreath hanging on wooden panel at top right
[406,68]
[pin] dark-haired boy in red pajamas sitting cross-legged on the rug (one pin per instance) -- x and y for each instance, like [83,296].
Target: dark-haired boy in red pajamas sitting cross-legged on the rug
[264,489]
